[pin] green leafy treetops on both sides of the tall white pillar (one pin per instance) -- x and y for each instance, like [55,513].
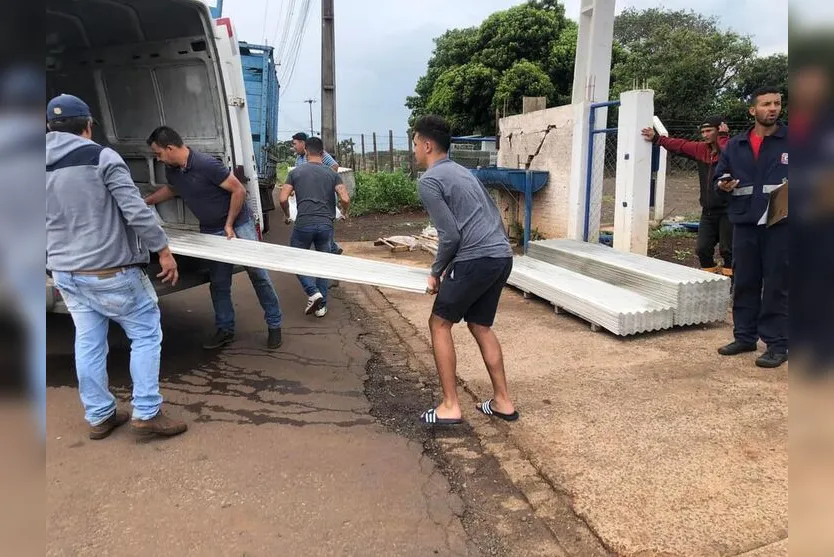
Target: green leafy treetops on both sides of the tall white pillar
[695,66]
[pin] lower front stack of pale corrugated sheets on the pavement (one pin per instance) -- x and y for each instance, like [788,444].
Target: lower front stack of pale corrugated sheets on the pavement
[616,309]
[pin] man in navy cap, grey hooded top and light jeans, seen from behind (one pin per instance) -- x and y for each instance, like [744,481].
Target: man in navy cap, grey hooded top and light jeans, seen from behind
[98,235]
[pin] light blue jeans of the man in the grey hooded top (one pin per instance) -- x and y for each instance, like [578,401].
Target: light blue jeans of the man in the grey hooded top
[129,299]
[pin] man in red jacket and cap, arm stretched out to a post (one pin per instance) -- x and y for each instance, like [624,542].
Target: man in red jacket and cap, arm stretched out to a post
[715,226]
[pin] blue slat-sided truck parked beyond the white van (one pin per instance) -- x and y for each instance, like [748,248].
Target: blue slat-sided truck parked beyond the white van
[262,92]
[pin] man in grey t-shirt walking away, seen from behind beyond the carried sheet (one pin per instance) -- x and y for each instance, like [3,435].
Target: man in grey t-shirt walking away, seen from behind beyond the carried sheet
[315,187]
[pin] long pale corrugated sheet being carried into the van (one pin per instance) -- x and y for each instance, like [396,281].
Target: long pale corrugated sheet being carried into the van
[297,261]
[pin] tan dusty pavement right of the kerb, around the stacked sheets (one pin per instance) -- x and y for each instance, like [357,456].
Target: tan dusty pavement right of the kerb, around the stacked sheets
[652,446]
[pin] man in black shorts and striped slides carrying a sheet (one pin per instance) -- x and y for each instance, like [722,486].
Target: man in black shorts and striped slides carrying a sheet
[473,263]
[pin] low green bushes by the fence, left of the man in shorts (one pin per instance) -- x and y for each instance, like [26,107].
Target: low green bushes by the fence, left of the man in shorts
[384,192]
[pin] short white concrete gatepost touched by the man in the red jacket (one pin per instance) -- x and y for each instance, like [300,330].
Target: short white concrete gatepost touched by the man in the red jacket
[634,168]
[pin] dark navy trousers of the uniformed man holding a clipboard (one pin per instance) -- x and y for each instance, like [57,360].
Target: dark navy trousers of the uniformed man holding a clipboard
[760,296]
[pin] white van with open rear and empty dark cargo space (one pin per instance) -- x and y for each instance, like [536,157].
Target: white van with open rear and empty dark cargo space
[143,63]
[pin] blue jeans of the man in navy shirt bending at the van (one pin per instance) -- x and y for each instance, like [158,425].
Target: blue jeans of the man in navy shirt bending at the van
[221,287]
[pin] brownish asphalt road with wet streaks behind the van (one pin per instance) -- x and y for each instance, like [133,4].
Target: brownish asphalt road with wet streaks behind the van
[281,458]
